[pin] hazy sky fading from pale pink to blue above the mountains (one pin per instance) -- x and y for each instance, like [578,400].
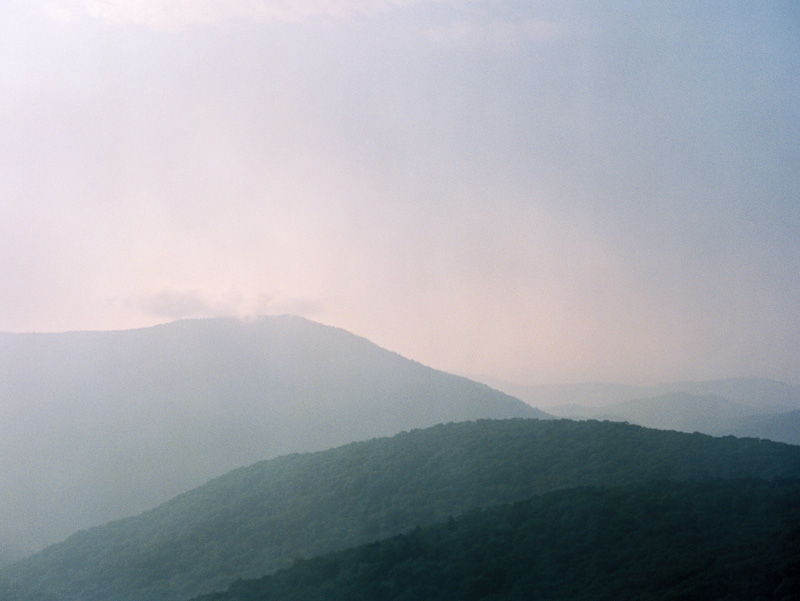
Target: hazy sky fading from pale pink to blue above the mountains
[536,191]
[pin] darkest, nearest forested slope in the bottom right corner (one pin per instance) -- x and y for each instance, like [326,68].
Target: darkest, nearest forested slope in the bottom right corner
[700,540]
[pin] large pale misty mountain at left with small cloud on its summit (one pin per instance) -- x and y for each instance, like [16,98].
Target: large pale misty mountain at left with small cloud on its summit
[96,426]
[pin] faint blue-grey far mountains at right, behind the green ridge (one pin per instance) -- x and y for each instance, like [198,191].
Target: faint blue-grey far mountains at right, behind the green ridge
[740,406]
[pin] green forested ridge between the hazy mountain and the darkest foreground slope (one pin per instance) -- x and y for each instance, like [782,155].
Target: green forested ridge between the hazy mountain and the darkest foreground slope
[255,520]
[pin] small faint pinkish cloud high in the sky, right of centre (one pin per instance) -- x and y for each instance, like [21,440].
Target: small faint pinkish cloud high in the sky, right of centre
[497,34]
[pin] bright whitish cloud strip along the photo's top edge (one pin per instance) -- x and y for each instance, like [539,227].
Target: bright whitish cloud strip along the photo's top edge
[178,14]
